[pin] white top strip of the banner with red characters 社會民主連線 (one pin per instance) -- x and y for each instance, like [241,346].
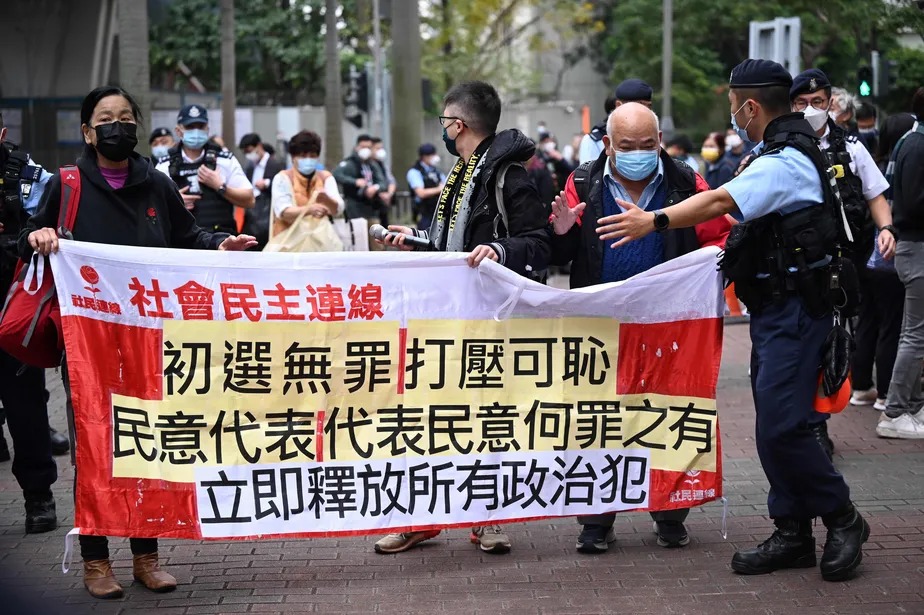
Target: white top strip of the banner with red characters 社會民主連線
[414,285]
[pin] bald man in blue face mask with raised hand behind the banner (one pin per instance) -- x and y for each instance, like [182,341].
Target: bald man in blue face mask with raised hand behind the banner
[632,167]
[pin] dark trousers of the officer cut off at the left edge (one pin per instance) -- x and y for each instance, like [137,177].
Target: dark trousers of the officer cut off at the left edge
[22,391]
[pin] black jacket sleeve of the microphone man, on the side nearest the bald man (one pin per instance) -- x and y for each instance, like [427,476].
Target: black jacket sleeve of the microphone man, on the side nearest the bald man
[527,249]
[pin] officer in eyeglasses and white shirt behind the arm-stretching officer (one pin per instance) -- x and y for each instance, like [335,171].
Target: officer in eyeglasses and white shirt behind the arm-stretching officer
[862,187]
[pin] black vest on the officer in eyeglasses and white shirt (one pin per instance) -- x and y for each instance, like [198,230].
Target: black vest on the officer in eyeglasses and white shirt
[850,187]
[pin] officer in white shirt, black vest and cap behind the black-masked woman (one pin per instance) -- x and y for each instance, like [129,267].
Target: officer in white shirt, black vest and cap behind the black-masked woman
[210,179]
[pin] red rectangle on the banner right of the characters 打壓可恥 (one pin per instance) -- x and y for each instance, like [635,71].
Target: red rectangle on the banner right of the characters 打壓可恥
[670,358]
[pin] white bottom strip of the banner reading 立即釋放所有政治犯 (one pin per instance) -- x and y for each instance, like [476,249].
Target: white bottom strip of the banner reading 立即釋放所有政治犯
[384,494]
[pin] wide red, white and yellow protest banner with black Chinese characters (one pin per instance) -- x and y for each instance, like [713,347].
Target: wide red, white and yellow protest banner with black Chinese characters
[229,395]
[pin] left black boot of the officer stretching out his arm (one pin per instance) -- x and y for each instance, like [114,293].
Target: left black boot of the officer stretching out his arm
[790,546]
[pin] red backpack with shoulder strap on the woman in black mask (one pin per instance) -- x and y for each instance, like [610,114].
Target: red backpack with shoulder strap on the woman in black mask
[30,324]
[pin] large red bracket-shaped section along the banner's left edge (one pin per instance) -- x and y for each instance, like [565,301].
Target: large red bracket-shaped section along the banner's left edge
[102,359]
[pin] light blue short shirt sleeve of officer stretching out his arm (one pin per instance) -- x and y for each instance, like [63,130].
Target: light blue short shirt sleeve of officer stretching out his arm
[784,182]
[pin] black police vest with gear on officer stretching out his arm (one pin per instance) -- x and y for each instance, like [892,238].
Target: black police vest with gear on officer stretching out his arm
[799,254]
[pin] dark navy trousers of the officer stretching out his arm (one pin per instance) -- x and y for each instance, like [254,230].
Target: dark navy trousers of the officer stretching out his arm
[785,358]
